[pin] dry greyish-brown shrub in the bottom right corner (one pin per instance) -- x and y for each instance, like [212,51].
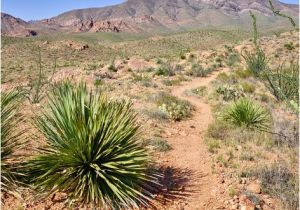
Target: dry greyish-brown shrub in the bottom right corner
[280,182]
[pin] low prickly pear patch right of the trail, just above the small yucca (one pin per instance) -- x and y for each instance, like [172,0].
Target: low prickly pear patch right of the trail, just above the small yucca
[229,92]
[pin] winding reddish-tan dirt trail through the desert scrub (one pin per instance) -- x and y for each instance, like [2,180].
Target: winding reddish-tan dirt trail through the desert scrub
[189,153]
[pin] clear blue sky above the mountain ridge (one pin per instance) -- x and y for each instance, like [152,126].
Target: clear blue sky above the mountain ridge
[40,9]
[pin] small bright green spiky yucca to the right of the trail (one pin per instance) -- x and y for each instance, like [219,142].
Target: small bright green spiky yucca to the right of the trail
[245,113]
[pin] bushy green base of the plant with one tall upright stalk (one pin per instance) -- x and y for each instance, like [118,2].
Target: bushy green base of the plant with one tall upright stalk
[256,62]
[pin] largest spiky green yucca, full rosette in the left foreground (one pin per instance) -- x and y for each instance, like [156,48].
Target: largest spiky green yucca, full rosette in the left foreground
[92,150]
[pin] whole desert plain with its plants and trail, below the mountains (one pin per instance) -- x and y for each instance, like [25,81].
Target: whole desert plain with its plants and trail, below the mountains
[204,119]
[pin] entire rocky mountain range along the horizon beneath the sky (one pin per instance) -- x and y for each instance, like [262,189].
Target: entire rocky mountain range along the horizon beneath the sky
[153,16]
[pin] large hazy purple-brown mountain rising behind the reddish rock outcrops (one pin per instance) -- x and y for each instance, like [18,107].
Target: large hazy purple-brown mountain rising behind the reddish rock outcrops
[177,14]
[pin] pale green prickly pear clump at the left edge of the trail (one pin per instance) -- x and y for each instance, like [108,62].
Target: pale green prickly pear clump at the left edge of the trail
[175,108]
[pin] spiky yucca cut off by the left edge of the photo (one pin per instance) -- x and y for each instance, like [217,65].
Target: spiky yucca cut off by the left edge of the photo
[11,141]
